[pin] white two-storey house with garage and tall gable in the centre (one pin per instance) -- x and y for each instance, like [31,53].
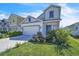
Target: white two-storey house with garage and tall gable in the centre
[48,20]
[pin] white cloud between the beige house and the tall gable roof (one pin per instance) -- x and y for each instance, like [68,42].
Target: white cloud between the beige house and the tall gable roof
[34,14]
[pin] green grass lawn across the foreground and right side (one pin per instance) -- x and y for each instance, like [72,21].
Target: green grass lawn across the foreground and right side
[43,49]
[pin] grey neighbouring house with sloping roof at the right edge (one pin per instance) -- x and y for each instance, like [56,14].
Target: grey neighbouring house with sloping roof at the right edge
[74,29]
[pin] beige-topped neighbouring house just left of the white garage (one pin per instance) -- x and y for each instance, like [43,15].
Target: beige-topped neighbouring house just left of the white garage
[15,22]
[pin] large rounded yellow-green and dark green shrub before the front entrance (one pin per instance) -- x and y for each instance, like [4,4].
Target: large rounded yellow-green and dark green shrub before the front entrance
[59,37]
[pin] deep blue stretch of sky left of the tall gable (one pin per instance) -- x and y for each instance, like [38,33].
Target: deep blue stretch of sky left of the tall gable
[9,8]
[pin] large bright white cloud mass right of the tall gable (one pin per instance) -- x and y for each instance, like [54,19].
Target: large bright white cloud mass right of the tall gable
[68,15]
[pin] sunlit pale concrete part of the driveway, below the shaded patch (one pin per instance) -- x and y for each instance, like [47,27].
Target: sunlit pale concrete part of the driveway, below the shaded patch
[7,43]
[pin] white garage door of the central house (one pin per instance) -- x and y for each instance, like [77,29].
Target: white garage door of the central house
[30,30]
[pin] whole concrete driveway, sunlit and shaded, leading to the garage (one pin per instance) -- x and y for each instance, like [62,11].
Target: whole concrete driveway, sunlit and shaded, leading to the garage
[8,43]
